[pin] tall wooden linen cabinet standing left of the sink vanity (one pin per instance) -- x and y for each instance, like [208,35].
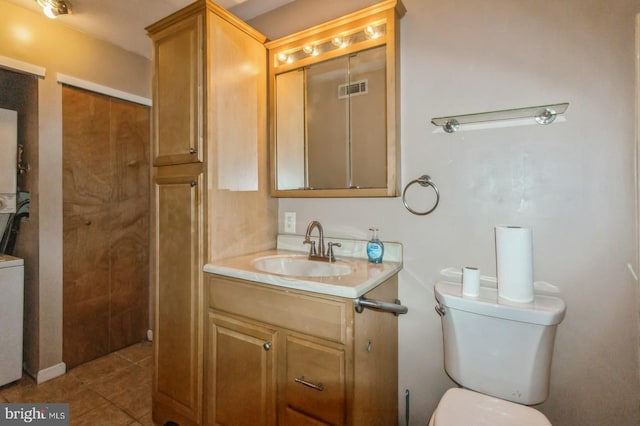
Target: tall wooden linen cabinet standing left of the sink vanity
[210,183]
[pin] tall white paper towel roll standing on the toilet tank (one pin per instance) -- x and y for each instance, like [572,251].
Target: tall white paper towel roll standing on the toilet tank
[514,263]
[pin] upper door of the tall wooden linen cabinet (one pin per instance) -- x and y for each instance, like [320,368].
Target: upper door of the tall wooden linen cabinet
[177,93]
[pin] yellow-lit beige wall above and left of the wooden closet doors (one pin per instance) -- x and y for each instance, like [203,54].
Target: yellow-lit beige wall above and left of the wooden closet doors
[30,37]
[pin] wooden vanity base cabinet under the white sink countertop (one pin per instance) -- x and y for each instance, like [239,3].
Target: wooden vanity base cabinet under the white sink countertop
[290,357]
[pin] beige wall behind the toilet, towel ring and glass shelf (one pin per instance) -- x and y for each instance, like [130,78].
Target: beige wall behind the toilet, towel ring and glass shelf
[573,181]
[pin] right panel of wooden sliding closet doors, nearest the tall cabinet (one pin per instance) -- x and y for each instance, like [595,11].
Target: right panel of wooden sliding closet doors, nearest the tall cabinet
[129,319]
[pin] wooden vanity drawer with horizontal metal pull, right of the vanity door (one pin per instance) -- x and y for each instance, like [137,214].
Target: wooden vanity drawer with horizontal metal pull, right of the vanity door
[315,380]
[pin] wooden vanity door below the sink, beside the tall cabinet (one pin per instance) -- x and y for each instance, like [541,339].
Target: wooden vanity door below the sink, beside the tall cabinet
[241,373]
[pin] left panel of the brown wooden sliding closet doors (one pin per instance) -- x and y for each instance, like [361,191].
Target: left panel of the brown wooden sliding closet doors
[88,189]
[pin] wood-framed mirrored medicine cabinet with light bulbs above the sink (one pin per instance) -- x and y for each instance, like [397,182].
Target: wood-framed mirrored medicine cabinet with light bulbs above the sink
[334,110]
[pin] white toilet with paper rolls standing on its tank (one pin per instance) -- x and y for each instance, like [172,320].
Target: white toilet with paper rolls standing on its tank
[499,352]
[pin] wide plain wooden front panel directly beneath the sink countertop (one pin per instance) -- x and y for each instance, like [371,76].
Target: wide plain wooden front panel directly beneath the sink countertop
[312,315]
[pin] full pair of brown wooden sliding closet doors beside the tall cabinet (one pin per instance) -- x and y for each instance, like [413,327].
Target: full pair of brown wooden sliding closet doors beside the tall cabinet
[105,224]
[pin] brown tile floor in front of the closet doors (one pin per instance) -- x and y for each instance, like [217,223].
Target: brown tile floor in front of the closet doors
[112,390]
